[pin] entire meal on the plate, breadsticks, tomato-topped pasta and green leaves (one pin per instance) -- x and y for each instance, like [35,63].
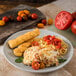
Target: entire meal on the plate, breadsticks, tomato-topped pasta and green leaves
[37,52]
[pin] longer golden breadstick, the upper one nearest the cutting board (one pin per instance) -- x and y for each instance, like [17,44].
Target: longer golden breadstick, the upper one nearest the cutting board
[25,37]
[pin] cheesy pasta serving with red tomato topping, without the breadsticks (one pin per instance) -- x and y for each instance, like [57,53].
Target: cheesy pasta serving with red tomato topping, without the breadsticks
[45,53]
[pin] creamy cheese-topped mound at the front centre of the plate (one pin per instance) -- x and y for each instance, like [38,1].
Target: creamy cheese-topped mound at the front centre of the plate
[47,55]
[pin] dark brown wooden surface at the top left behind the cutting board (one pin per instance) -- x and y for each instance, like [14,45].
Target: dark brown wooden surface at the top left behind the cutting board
[8,4]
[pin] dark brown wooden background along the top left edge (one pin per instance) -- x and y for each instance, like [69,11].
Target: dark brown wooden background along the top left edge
[8,4]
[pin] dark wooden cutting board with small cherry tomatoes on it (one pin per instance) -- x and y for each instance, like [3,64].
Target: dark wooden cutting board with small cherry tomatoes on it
[12,27]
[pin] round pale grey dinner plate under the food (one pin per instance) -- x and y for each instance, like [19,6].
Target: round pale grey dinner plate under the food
[8,53]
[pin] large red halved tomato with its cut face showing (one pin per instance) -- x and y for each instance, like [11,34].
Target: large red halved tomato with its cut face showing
[63,20]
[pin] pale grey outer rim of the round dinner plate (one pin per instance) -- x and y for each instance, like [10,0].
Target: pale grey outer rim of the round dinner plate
[45,71]
